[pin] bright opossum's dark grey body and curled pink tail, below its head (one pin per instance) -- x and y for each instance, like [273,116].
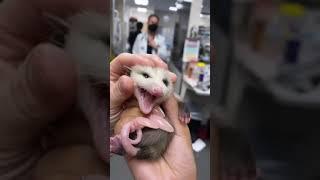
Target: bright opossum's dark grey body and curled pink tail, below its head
[151,144]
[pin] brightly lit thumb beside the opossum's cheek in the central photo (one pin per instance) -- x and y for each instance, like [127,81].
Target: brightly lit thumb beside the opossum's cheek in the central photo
[121,90]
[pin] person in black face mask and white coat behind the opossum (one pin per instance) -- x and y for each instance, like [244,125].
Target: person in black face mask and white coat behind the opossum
[151,42]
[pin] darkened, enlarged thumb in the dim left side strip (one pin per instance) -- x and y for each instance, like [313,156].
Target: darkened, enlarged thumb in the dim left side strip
[39,91]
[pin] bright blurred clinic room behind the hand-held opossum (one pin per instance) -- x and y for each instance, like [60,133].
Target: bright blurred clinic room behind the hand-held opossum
[185,27]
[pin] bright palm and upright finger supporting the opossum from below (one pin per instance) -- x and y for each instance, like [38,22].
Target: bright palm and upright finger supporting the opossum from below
[178,162]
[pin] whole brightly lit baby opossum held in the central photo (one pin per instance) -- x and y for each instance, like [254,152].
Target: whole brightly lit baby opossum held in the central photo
[147,136]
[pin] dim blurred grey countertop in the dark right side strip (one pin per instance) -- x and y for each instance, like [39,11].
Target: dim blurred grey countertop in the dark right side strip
[267,70]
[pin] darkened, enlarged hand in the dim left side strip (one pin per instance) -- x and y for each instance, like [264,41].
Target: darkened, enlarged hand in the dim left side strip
[38,81]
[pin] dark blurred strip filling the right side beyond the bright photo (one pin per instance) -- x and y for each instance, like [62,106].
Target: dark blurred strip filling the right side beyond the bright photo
[266,89]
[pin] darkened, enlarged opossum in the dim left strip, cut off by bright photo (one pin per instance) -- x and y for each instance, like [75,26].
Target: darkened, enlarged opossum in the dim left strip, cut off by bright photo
[85,37]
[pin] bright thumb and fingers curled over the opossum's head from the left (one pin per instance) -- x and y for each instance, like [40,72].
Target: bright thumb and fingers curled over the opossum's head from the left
[121,86]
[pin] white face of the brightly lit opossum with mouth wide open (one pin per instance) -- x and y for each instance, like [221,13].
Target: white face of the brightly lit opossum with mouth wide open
[153,86]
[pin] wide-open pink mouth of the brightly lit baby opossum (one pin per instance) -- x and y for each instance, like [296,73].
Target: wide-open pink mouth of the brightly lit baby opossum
[146,100]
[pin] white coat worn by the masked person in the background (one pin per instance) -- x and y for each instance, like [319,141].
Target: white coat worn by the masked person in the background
[141,43]
